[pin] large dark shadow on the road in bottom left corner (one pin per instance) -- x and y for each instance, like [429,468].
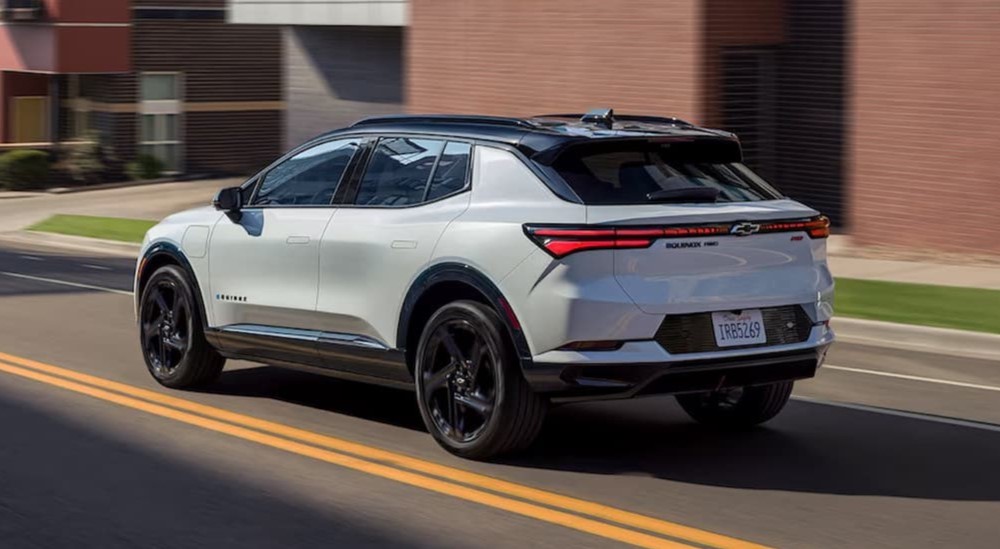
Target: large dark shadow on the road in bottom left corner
[66,484]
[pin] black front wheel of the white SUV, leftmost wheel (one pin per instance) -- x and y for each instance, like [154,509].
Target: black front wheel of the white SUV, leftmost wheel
[172,337]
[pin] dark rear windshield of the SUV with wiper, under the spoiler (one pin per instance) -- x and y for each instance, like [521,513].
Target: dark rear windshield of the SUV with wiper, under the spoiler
[643,172]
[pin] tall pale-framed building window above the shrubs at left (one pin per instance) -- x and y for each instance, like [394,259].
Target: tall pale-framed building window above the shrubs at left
[160,118]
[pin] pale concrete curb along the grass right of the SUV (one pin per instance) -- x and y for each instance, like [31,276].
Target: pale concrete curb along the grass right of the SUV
[918,338]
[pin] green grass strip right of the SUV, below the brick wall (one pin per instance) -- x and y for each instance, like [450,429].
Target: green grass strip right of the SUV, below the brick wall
[941,306]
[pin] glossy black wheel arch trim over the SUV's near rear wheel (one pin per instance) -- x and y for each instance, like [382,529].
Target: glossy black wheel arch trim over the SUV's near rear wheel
[446,282]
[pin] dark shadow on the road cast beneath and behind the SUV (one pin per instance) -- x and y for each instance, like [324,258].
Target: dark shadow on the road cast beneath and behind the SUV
[809,448]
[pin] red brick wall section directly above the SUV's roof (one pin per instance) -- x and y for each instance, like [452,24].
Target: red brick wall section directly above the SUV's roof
[523,57]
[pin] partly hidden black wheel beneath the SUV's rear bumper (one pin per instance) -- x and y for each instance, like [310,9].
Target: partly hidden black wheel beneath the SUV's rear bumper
[739,406]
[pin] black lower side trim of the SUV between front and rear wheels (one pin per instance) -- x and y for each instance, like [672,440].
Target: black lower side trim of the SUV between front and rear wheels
[342,355]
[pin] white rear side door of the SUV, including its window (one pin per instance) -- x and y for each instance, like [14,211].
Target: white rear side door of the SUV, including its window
[384,236]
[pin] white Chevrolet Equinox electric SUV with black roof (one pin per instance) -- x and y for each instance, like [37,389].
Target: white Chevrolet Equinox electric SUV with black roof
[497,266]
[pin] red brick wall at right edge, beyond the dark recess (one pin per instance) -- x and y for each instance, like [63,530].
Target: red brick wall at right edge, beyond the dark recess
[925,164]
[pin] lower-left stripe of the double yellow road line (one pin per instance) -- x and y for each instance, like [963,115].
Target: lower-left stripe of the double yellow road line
[537,512]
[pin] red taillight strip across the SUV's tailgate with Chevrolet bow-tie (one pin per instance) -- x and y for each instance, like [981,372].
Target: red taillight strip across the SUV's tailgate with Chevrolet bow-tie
[562,241]
